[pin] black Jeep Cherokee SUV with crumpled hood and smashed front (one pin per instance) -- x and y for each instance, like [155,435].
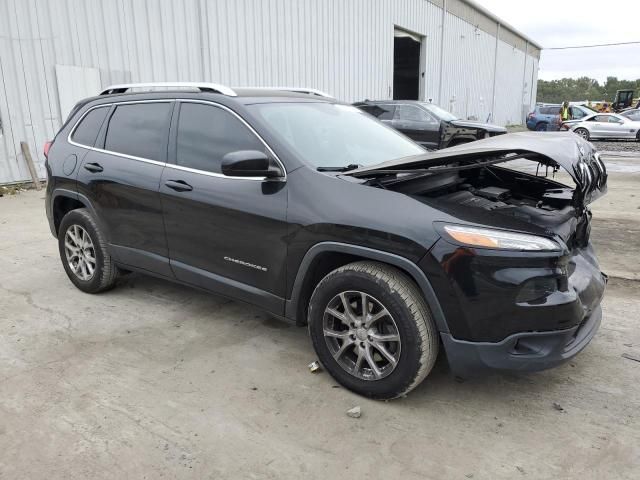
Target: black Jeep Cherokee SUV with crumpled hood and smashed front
[319,213]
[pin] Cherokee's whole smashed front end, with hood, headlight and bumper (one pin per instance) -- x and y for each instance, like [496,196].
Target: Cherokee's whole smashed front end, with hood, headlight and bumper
[516,305]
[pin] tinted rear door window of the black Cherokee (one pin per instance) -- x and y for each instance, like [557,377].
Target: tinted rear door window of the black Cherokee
[140,130]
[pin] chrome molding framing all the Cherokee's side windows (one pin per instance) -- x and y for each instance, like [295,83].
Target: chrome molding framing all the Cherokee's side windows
[283,178]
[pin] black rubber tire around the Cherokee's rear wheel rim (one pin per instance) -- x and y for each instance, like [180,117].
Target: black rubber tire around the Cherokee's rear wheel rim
[105,272]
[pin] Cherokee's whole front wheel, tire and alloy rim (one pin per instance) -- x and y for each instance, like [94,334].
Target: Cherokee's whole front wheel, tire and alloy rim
[372,330]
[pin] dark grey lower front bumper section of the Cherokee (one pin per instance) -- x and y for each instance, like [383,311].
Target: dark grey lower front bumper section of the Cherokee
[521,352]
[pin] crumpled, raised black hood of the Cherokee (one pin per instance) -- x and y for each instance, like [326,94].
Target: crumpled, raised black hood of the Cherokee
[555,149]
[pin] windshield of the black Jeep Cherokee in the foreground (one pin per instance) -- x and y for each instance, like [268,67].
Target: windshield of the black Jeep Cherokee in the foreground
[331,135]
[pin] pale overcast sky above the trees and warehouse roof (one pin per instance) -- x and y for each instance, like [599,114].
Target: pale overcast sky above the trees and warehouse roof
[559,23]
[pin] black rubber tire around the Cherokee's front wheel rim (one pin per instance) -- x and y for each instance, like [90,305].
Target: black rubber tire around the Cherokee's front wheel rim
[395,291]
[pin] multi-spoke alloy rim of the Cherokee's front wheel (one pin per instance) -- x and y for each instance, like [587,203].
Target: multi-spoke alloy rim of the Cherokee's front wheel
[361,335]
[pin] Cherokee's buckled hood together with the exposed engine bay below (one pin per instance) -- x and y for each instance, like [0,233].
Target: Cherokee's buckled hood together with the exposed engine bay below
[472,182]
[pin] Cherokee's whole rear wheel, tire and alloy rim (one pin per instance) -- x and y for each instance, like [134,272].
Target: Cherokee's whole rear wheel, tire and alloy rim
[83,251]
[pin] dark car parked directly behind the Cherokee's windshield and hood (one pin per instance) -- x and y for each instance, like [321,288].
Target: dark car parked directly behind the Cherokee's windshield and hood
[427,124]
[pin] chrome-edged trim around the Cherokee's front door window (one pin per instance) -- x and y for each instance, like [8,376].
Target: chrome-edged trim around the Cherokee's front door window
[171,160]
